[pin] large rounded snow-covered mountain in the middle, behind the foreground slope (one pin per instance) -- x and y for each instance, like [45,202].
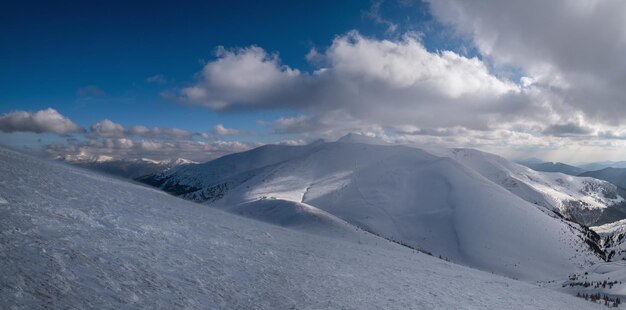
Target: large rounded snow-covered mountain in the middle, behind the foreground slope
[429,202]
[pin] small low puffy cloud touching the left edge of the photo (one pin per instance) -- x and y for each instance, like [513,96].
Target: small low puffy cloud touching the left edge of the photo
[48,120]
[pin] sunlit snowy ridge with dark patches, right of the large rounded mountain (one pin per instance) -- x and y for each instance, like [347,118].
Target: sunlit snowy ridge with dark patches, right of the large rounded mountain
[587,201]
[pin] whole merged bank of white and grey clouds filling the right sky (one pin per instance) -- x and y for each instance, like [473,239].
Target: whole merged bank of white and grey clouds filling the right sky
[380,86]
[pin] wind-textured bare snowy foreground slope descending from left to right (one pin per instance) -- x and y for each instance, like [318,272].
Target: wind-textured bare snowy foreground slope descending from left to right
[72,238]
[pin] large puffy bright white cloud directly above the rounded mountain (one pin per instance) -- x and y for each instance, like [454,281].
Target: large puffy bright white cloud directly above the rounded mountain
[376,81]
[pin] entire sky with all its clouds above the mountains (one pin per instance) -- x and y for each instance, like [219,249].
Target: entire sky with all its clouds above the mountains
[536,79]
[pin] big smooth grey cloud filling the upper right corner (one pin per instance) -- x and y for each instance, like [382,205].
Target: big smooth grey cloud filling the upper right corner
[572,49]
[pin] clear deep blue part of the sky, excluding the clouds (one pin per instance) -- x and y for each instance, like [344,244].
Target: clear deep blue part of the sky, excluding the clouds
[51,49]
